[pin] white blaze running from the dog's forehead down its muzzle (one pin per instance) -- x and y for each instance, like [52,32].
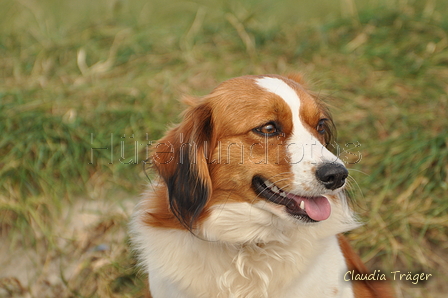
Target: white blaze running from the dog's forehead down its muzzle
[304,148]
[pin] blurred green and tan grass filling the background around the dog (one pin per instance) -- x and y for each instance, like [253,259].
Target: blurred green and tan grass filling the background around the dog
[109,75]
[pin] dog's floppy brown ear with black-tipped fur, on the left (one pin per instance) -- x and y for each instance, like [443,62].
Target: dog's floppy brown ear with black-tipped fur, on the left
[181,160]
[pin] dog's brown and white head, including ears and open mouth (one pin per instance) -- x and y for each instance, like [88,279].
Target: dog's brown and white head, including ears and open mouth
[254,149]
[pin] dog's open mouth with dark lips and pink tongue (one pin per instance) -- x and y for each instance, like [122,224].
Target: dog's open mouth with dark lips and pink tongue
[306,209]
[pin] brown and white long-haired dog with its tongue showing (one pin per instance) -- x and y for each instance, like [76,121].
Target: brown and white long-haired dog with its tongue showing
[250,202]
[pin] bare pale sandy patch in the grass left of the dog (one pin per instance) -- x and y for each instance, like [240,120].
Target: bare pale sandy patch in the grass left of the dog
[90,231]
